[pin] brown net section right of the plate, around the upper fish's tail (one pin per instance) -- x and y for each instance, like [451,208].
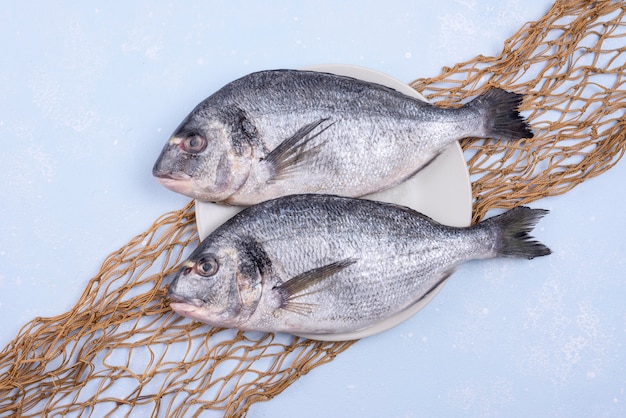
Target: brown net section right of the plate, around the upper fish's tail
[571,67]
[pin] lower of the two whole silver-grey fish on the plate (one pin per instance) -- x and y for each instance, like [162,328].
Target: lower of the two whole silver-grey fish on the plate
[325,265]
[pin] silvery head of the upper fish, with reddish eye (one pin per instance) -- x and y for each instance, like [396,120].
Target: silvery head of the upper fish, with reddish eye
[203,159]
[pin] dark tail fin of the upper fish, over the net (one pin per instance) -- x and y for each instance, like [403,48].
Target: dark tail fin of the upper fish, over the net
[501,117]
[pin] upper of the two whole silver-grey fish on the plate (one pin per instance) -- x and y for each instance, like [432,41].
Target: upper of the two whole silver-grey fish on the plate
[279,132]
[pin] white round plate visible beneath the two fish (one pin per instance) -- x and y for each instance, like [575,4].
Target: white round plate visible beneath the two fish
[442,190]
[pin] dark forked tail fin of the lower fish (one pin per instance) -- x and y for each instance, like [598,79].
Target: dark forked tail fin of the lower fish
[514,227]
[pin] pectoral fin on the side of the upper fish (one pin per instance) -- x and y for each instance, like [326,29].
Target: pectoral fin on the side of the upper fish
[292,153]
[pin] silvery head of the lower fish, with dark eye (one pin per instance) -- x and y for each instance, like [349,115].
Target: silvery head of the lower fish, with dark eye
[212,287]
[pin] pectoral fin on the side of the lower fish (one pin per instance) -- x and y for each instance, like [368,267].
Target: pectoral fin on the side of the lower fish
[300,285]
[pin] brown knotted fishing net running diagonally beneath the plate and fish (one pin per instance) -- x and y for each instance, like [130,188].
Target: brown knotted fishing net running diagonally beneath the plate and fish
[121,350]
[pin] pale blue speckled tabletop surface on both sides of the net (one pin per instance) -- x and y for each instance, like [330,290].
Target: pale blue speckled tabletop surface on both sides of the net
[91,91]
